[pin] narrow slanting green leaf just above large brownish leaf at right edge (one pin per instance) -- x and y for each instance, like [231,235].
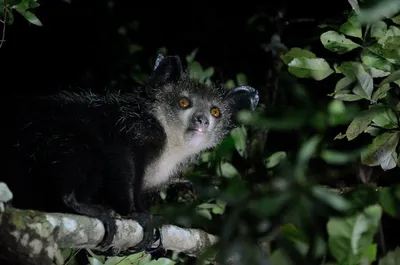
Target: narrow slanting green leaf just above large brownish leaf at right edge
[361,122]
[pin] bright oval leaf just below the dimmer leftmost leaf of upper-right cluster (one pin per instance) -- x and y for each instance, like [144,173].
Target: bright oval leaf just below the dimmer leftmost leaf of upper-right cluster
[315,68]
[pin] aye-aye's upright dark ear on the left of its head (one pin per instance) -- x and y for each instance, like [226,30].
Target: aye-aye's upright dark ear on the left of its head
[166,70]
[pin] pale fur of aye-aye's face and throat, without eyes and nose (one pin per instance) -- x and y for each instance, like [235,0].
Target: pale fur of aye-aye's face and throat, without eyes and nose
[183,143]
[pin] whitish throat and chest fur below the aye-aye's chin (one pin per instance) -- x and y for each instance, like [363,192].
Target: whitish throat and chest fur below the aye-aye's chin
[163,167]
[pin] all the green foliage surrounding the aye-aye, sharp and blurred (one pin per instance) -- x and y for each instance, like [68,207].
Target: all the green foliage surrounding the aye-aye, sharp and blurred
[262,190]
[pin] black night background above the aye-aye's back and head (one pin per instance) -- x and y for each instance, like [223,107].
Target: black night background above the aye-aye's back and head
[79,43]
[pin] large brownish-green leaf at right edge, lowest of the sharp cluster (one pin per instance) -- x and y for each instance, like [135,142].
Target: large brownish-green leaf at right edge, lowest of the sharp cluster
[381,149]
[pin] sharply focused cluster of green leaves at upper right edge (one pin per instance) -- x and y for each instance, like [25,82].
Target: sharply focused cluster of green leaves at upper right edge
[361,80]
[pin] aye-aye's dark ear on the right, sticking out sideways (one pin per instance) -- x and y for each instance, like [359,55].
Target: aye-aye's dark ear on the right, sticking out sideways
[243,97]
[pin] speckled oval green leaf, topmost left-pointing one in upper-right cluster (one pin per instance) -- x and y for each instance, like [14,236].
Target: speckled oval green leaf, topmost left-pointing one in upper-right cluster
[337,42]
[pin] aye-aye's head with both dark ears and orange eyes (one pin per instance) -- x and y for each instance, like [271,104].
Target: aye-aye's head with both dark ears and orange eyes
[194,114]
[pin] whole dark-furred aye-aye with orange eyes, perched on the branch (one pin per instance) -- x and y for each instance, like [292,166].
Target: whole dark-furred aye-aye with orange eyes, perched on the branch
[98,154]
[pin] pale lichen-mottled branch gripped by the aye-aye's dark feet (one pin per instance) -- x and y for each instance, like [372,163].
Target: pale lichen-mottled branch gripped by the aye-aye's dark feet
[34,237]
